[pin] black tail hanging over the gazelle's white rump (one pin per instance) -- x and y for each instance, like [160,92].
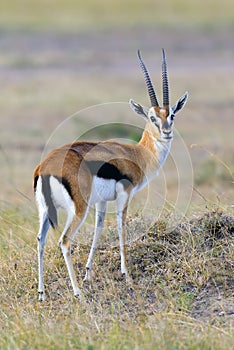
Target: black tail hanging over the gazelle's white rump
[46,190]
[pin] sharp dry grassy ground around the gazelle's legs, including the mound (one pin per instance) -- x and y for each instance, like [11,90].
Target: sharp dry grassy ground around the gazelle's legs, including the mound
[181,296]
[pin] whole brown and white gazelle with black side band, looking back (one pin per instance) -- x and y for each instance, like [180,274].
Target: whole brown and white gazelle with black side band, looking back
[78,175]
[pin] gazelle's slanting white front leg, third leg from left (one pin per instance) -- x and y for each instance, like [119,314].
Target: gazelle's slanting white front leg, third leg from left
[99,223]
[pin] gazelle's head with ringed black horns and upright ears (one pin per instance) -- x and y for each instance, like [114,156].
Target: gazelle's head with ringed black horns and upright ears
[160,119]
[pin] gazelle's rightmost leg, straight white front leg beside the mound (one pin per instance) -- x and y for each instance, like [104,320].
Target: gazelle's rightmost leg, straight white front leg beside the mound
[121,211]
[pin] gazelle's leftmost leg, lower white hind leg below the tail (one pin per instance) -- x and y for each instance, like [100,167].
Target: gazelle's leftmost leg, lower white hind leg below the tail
[44,227]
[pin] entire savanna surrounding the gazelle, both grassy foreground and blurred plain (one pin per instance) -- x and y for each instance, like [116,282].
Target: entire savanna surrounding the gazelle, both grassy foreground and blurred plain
[67,71]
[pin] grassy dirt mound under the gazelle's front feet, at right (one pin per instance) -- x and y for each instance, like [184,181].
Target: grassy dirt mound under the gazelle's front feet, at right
[189,269]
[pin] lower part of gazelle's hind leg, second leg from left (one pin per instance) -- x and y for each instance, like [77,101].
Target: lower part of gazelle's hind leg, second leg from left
[69,232]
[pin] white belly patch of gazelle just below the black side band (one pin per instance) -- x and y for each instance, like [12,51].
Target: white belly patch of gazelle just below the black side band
[102,190]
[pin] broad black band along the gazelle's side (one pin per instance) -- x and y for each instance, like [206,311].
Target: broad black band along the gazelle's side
[107,171]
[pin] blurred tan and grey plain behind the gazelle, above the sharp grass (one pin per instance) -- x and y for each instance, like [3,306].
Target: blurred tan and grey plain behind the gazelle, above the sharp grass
[59,57]
